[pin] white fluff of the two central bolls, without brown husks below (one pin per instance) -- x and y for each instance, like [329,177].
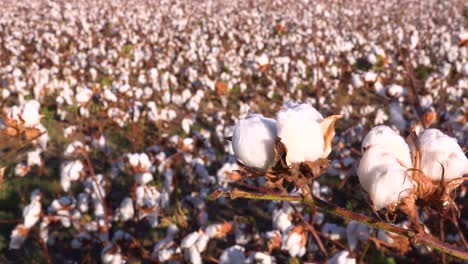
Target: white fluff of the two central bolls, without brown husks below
[300,127]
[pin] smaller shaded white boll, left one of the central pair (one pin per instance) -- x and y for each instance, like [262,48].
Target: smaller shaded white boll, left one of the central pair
[253,141]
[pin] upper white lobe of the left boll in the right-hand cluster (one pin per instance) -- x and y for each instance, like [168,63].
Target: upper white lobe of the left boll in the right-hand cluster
[387,138]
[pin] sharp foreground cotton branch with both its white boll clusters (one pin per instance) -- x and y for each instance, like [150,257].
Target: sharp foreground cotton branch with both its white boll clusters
[391,172]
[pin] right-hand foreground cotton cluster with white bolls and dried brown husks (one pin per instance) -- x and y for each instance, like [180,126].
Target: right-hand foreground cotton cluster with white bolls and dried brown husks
[395,175]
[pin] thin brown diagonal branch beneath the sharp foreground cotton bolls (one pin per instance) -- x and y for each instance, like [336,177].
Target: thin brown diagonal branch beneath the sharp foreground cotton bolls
[331,209]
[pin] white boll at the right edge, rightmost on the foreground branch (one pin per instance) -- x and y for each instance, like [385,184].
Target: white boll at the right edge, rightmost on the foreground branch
[437,150]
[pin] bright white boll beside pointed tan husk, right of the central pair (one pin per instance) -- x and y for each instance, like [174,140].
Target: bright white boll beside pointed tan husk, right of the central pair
[299,129]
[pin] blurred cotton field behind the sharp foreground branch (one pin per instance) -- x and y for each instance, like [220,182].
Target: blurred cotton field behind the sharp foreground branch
[171,78]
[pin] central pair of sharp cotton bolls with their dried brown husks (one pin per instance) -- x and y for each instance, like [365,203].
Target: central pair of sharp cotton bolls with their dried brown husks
[300,135]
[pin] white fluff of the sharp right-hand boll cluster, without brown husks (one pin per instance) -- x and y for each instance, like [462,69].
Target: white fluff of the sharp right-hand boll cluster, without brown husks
[384,168]
